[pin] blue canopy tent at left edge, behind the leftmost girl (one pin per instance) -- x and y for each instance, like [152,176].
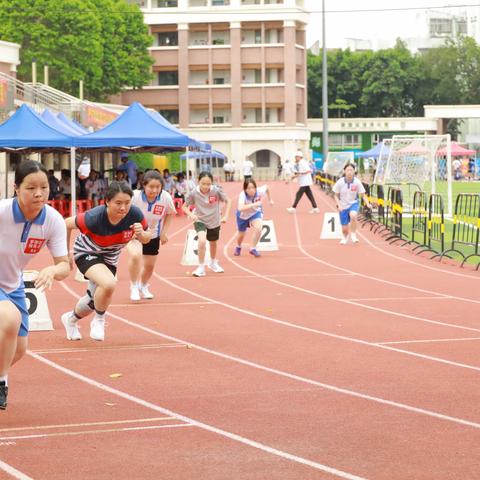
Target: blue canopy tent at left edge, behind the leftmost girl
[25,130]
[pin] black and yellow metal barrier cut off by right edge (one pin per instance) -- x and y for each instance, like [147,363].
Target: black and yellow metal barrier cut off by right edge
[466,227]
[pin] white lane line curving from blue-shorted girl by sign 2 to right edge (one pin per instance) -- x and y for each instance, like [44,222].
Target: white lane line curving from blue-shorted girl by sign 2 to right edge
[342,300]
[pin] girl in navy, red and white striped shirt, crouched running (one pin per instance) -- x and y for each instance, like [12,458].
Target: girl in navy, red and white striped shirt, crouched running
[104,231]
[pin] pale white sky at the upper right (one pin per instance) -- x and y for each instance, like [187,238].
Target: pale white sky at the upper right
[389,25]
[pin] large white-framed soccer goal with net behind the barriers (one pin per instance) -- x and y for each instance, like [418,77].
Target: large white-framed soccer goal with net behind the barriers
[418,162]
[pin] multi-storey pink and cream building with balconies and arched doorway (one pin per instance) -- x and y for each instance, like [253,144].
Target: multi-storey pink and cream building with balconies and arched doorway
[230,72]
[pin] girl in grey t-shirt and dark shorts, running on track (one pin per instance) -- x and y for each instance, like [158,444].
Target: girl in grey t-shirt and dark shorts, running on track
[206,218]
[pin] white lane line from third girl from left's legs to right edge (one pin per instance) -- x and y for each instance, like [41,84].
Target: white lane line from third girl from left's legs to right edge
[313,330]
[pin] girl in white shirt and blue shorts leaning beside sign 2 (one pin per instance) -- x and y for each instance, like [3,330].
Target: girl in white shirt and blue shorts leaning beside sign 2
[250,214]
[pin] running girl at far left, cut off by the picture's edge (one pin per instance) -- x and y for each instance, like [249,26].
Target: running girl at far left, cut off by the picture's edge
[28,224]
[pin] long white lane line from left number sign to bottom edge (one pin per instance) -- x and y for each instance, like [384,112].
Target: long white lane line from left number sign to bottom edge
[203,426]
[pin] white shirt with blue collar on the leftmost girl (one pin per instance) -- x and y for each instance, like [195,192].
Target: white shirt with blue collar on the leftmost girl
[20,240]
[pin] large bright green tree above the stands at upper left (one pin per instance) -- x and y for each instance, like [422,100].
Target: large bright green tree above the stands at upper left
[102,42]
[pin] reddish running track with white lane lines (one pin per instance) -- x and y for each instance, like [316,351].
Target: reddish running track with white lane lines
[314,362]
